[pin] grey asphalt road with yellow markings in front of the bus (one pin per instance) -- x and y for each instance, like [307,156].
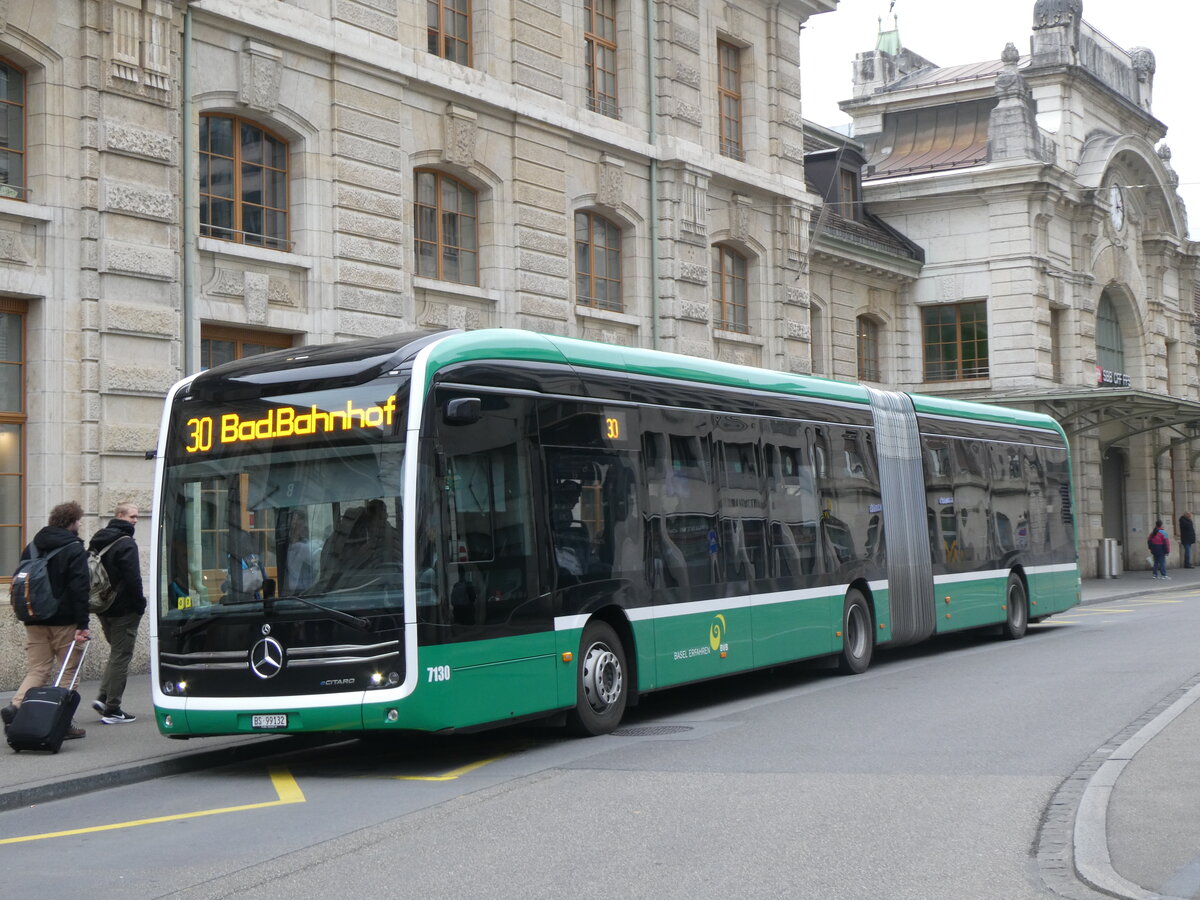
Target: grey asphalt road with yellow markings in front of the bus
[926,778]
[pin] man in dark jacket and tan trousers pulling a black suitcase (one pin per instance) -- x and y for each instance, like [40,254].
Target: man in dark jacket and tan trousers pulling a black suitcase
[51,633]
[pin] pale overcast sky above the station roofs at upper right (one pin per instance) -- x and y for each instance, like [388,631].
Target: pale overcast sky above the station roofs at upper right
[950,33]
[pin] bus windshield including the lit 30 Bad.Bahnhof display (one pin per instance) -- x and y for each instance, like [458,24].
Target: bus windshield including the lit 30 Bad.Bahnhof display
[295,496]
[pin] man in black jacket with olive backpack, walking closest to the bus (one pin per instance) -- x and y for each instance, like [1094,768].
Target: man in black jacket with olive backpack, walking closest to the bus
[124,604]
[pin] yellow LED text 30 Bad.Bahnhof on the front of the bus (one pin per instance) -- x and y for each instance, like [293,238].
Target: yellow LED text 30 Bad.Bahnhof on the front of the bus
[205,433]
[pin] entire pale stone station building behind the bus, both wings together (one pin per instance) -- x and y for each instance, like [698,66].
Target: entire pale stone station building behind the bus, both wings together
[184,183]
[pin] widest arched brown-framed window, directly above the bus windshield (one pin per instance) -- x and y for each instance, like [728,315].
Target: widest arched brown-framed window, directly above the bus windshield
[244,183]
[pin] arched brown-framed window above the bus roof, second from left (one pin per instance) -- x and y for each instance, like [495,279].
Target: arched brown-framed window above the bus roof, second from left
[447,214]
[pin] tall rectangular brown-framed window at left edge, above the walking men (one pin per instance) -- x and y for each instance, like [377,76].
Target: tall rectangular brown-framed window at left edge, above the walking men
[13,429]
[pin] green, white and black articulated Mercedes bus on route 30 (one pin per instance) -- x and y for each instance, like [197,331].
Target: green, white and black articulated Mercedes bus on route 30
[443,532]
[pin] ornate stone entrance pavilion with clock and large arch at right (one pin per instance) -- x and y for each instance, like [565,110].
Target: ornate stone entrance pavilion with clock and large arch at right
[1058,272]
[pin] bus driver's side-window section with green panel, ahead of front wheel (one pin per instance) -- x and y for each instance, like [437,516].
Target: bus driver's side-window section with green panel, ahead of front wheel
[502,635]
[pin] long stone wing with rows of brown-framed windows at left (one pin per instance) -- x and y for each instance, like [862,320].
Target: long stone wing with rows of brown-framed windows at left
[209,179]
